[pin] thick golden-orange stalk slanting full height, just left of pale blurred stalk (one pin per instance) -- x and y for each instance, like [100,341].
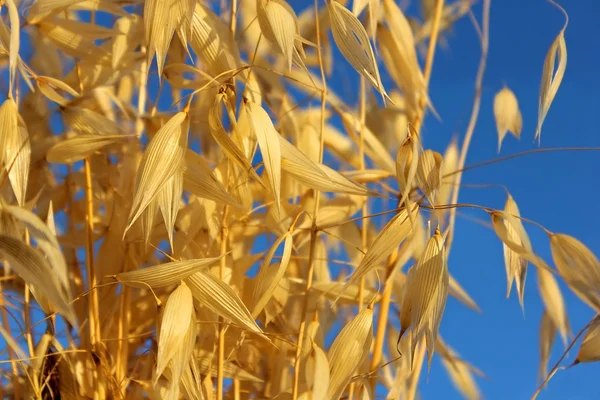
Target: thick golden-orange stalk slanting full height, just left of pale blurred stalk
[387,292]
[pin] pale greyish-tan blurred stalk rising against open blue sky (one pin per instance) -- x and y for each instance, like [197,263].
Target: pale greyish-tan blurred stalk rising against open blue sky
[472,121]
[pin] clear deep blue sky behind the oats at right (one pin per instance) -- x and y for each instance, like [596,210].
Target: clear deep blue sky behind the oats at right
[553,189]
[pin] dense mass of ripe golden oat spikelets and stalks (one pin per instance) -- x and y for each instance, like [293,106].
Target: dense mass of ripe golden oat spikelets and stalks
[129,229]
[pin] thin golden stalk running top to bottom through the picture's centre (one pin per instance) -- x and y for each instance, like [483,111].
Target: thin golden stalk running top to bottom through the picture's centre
[314,230]
